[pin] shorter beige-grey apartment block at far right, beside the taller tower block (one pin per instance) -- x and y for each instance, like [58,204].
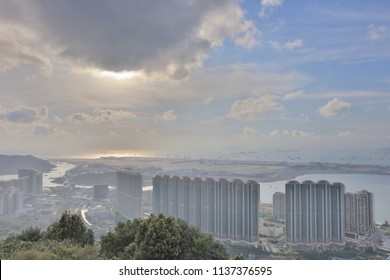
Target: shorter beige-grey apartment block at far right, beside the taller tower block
[359,212]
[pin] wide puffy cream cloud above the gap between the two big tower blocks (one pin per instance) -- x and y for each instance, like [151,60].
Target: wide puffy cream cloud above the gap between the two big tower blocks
[251,108]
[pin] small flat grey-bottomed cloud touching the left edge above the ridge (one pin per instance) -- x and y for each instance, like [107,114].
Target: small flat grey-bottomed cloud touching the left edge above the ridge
[24,115]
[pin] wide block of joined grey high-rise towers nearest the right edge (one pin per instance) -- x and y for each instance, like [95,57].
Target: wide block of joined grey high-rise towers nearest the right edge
[315,212]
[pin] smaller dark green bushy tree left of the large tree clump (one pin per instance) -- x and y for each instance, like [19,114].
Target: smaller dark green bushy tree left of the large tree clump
[71,227]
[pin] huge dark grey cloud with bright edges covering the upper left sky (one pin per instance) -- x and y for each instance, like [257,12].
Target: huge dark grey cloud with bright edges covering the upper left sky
[169,37]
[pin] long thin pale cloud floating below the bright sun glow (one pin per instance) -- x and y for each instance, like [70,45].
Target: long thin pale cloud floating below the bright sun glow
[101,115]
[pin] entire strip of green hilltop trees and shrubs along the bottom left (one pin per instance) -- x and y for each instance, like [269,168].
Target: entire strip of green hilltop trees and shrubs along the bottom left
[155,238]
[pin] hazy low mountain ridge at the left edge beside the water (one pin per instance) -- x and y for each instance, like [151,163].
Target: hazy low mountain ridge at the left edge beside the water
[9,164]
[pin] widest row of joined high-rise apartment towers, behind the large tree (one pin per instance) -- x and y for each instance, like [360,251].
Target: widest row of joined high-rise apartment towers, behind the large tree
[225,209]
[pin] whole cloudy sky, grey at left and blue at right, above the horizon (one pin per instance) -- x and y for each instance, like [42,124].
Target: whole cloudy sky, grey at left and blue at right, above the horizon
[193,77]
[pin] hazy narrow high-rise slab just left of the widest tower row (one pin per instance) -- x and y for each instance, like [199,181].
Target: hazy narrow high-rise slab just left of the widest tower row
[129,194]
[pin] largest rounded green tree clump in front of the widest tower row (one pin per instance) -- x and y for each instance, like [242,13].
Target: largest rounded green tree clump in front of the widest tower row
[159,238]
